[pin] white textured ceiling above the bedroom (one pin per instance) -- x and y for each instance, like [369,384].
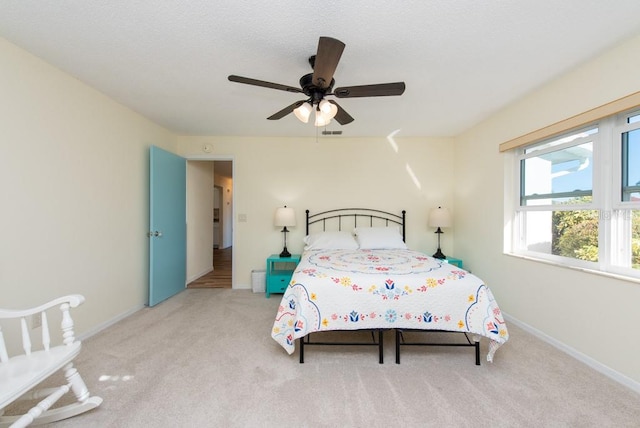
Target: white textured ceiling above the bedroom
[461,60]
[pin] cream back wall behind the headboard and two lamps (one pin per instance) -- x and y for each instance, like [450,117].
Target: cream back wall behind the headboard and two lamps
[330,173]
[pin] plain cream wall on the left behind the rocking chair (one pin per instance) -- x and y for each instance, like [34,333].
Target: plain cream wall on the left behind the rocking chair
[74,185]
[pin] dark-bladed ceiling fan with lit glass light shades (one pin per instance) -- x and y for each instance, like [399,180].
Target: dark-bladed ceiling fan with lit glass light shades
[319,84]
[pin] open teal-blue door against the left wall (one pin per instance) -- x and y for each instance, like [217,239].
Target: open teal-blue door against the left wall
[167,225]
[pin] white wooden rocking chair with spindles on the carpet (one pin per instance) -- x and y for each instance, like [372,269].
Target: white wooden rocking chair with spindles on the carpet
[21,373]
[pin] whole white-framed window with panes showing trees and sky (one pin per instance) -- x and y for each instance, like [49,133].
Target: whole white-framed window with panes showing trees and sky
[577,198]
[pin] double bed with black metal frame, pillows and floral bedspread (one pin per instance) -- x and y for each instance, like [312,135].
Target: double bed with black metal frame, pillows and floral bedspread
[356,273]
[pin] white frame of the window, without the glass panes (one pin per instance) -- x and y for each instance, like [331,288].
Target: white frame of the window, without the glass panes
[613,250]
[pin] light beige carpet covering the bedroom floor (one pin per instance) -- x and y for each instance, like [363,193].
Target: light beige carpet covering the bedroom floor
[205,358]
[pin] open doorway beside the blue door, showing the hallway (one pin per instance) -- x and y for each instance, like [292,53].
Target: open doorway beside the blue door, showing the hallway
[210,224]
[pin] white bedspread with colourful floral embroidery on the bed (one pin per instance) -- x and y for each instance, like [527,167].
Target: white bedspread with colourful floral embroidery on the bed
[370,289]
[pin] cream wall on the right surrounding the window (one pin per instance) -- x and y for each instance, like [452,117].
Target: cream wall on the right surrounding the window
[592,314]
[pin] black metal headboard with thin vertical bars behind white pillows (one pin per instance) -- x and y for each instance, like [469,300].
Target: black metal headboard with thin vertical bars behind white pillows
[352,217]
